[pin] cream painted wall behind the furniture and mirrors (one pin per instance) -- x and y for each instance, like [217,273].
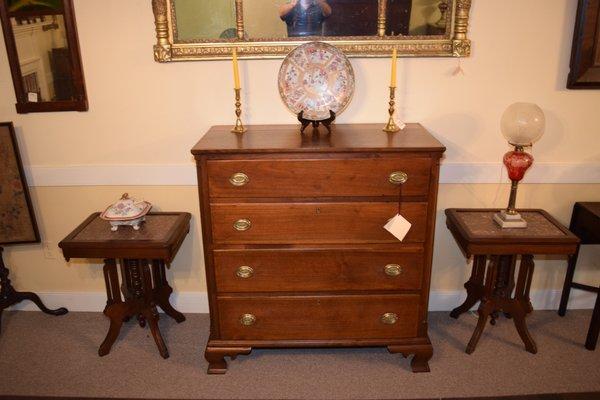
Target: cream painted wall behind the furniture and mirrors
[142,112]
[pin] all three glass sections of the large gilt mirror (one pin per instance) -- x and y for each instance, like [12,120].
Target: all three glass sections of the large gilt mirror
[279,19]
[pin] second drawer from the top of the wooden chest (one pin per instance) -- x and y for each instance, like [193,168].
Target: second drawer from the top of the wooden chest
[303,223]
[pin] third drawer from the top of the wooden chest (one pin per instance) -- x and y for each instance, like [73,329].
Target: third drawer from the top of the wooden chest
[316,270]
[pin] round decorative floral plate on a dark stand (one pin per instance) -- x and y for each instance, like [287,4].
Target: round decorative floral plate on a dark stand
[316,77]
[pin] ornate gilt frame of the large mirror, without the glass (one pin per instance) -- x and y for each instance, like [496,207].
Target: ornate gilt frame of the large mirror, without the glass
[168,48]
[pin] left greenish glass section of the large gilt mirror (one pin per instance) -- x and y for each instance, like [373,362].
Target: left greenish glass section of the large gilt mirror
[205,19]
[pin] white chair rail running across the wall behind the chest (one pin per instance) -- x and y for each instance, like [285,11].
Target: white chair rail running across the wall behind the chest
[185,174]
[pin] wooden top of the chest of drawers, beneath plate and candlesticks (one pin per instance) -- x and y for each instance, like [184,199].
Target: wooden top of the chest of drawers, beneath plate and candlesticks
[344,138]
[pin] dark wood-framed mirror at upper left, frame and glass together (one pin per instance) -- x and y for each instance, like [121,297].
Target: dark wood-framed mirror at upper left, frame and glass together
[43,53]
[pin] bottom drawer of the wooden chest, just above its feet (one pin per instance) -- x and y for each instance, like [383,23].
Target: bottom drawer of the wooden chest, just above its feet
[318,317]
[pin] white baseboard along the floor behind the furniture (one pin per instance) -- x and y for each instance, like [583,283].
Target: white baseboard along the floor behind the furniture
[197,302]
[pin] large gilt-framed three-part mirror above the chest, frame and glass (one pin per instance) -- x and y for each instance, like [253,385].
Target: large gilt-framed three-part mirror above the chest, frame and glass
[208,29]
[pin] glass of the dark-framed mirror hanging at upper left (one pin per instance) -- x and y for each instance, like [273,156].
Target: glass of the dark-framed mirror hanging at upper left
[42,48]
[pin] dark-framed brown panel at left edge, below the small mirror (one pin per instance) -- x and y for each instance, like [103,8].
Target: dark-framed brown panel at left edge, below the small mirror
[17,219]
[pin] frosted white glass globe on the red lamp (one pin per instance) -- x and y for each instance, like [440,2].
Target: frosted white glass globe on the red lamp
[523,123]
